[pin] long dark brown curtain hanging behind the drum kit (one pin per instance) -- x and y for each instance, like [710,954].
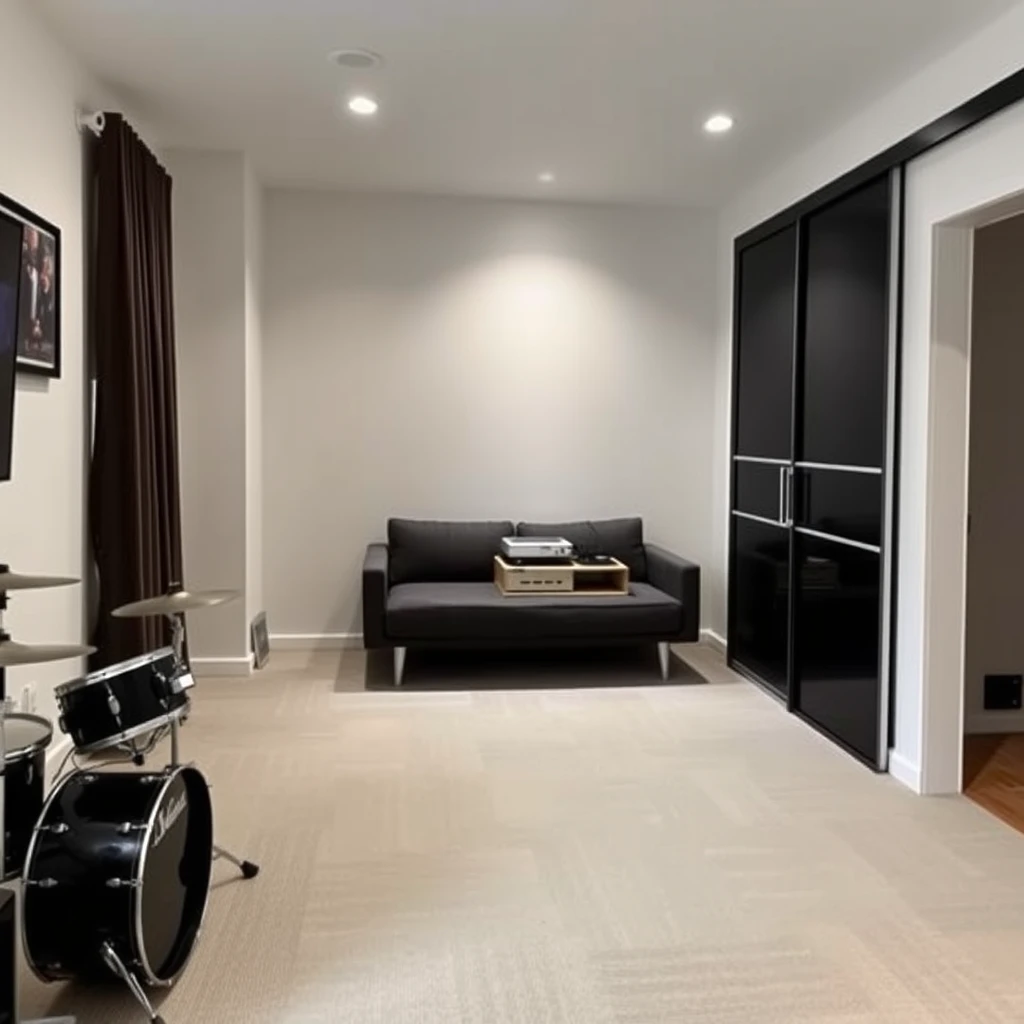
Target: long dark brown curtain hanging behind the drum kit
[135,503]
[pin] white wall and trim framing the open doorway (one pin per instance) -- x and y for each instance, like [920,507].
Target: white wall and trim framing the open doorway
[972,181]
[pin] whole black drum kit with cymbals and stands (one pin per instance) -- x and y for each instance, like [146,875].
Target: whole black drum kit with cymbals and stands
[115,865]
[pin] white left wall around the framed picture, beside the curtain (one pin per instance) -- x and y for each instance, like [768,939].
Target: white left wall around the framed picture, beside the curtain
[42,515]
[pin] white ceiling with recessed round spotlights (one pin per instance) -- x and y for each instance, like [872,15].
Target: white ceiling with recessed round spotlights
[479,97]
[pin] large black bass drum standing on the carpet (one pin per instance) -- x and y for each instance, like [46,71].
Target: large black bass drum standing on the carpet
[124,860]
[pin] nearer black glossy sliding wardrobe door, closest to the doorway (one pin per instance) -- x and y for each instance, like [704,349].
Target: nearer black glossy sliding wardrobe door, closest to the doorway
[841,416]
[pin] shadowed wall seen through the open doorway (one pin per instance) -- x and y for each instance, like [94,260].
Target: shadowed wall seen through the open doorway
[996,551]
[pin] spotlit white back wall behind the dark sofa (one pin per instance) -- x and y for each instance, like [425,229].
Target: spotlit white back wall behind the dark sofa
[464,359]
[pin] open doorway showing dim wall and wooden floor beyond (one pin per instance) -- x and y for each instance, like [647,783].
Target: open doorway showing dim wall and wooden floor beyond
[994,676]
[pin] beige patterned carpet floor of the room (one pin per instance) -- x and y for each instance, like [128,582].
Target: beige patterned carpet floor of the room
[680,855]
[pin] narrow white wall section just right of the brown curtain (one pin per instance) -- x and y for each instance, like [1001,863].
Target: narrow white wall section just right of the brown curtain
[210,286]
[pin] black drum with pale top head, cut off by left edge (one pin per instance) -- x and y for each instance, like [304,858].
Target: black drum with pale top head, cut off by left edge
[26,740]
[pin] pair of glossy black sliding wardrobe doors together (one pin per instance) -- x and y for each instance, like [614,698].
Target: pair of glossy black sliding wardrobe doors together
[813,366]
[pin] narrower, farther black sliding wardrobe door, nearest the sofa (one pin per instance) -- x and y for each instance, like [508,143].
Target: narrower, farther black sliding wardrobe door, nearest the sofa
[760,606]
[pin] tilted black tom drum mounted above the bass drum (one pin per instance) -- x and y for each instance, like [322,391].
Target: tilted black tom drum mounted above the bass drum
[123,702]
